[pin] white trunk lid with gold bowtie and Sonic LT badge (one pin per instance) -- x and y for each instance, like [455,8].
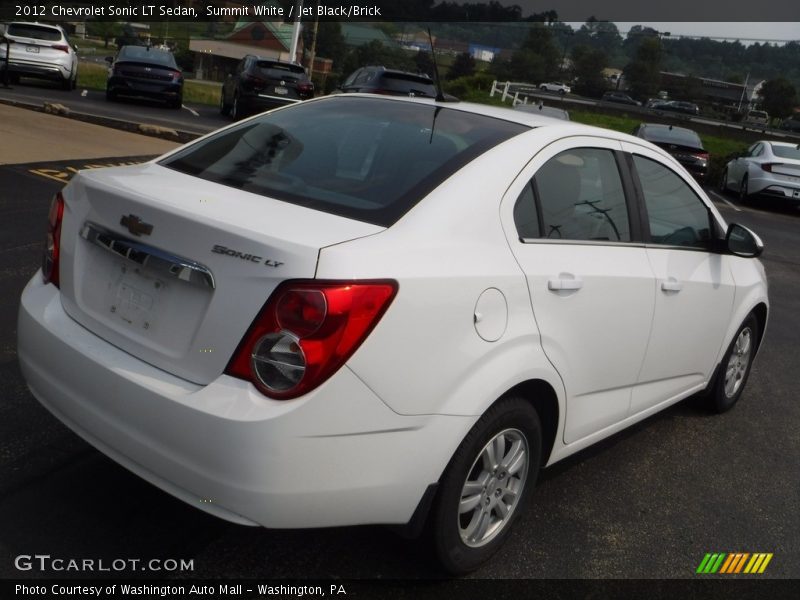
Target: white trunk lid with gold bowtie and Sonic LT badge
[174,269]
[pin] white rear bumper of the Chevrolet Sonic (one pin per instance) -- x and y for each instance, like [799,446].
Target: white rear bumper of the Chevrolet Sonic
[338,456]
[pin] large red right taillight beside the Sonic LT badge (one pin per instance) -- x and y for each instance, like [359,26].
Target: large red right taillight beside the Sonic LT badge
[306,331]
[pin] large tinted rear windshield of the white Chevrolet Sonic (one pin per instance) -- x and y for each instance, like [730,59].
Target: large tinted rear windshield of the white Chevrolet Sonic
[362,158]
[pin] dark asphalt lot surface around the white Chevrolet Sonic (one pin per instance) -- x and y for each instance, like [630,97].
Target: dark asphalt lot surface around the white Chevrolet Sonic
[647,503]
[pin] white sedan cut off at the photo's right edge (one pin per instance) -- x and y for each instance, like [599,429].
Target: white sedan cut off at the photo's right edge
[768,168]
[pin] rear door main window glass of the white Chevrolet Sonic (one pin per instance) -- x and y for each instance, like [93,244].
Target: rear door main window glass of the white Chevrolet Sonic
[581,197]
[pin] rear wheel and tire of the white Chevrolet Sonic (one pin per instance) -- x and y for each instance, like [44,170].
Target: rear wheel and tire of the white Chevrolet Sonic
[486,485]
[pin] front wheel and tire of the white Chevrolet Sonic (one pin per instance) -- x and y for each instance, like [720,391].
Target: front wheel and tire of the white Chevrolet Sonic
[735,367]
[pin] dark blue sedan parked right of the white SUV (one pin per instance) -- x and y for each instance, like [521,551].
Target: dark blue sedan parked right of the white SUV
[145,72]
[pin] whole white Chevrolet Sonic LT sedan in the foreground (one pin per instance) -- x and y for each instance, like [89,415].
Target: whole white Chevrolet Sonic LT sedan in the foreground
[363,309]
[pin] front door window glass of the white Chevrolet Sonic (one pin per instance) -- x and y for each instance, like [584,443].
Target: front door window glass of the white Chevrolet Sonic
[677,217]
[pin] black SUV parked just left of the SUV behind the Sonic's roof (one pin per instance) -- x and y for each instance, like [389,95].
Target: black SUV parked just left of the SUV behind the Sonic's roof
[259,84]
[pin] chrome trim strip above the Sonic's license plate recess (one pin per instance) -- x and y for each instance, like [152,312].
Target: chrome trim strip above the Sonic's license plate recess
[158,261]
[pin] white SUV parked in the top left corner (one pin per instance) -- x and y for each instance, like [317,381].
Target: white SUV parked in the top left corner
[39,51]
